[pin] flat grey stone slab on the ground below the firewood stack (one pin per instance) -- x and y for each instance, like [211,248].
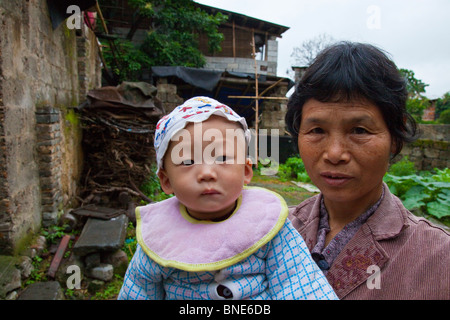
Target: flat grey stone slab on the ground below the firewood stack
[101,235]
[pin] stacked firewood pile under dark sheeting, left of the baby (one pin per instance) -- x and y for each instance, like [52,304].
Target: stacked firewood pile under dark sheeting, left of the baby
[117,145]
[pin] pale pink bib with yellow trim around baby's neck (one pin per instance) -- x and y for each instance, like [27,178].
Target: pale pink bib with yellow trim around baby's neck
[174,239]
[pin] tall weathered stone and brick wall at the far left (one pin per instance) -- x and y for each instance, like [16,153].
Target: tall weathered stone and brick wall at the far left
[40,139]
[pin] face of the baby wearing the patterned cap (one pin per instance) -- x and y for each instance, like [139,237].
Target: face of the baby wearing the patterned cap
[205,166]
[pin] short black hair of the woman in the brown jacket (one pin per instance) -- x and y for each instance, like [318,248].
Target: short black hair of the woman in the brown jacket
[350,71]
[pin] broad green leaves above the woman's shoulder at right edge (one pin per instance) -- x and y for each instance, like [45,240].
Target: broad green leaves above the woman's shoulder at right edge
[427,192]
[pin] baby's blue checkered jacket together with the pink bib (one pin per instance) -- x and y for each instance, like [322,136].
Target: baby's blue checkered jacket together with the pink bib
[254,254]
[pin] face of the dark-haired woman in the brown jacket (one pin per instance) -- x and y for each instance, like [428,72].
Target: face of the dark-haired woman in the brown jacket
[346,148]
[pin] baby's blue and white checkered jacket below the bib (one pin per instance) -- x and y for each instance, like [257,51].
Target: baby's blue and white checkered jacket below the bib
[282,269]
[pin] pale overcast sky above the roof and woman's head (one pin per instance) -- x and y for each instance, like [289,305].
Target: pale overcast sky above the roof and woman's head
[415,33]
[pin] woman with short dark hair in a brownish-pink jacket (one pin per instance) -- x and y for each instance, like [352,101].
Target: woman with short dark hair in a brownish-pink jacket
[348,114]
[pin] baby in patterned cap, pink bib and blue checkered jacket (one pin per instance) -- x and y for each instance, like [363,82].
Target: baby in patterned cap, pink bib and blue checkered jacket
[216,238]
